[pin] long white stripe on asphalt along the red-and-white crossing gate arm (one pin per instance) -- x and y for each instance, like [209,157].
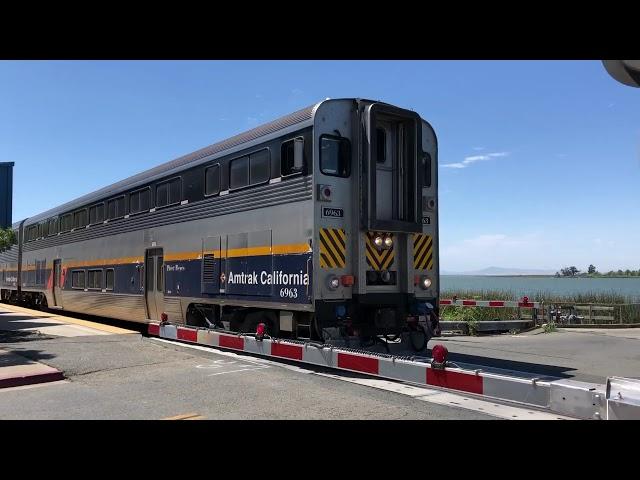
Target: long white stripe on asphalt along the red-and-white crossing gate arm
[429,395]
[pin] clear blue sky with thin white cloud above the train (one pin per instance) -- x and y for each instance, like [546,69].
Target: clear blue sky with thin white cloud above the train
[539,160]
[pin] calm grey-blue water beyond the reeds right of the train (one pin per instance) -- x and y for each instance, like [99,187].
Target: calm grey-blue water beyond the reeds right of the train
[629,287]
